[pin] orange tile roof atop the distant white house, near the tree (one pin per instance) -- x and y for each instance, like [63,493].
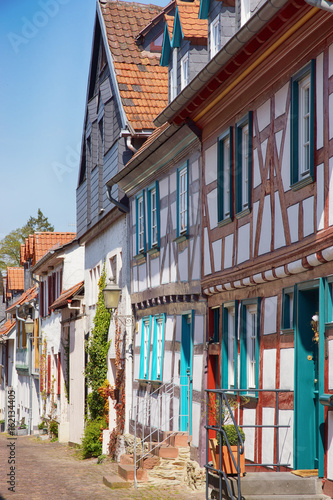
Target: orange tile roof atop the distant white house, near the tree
[38,244]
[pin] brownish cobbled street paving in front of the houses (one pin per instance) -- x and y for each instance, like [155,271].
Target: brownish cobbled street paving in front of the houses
[52,471]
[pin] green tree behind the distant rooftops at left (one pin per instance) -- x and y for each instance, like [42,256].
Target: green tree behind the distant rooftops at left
[10,245]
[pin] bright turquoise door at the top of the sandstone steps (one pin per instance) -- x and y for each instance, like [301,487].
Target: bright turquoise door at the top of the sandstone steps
[186,374]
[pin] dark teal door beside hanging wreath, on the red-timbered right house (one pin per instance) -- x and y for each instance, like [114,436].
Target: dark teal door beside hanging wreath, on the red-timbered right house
[306,382]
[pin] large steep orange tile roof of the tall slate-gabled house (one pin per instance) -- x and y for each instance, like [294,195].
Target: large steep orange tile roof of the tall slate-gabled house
[143,83]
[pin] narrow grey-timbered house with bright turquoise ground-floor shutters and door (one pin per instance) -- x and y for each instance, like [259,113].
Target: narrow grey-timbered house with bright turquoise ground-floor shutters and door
[162,182]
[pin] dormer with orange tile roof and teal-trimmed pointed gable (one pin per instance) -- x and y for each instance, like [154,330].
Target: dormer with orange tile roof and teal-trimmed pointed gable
[184,44]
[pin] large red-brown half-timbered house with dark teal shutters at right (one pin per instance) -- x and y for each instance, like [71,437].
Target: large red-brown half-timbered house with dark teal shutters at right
[264,104]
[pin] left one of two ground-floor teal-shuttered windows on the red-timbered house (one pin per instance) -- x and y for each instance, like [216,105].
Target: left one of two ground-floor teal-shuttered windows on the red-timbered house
[229,345]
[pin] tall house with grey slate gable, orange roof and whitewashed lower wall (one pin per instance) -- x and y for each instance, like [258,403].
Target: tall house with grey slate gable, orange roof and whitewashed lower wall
[127,87]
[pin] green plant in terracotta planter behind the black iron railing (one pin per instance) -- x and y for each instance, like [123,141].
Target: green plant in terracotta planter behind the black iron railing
[227,463]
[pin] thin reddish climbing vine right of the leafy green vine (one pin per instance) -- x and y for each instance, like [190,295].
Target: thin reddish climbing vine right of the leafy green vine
[117,393]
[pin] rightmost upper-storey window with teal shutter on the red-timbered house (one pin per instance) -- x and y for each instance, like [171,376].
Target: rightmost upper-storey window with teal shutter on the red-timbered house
[302,127]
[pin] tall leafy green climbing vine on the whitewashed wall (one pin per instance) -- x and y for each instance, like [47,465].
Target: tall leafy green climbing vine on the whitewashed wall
[97,348]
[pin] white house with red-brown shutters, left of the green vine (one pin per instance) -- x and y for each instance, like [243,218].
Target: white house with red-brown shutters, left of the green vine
[60,269]
